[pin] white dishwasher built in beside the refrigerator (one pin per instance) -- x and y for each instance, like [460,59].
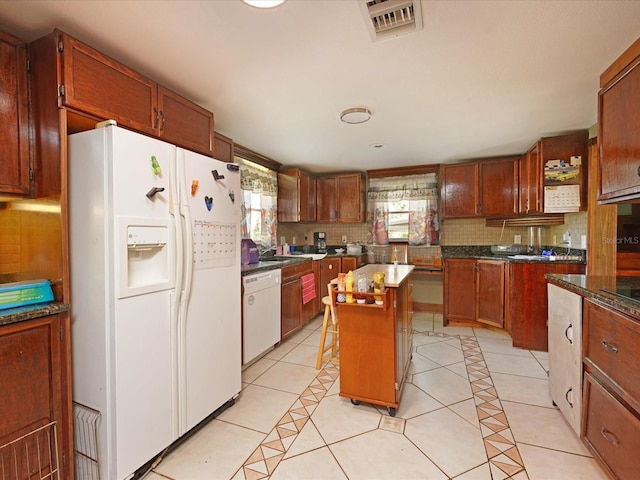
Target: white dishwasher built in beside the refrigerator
[260,313]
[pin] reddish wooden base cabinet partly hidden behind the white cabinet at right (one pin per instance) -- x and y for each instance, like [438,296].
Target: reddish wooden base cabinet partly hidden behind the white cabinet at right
[527,293]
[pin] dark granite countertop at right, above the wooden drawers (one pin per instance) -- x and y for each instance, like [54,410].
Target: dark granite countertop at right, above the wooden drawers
[592,286]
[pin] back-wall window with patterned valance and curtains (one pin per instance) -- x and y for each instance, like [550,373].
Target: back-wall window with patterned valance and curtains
[403,208]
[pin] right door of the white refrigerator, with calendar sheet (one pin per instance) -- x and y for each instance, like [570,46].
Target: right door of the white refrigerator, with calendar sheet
[210,322]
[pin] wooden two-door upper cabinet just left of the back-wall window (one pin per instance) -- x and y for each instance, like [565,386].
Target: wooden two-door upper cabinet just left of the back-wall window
[341,198]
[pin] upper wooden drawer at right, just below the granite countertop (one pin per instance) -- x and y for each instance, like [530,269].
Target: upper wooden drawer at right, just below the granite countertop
[612,342]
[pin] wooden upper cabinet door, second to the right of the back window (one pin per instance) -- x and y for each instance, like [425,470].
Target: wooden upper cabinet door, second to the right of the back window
[498,187]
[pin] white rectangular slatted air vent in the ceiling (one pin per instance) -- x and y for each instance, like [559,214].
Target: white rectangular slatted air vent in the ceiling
[390,18]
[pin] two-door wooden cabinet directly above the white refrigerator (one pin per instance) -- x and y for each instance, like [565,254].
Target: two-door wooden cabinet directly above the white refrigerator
[92,83]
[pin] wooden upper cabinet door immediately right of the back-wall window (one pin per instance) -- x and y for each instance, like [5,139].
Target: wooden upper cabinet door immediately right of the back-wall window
[459,190]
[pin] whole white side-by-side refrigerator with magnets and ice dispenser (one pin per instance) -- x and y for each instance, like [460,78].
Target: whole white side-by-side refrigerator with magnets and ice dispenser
[155,290]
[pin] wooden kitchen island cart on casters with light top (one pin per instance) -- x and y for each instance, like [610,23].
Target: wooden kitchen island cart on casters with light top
[376,340]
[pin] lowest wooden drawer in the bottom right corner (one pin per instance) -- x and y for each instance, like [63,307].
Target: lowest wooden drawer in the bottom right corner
[611,431]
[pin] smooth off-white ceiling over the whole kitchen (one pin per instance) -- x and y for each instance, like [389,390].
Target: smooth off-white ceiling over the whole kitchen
[482,78]
